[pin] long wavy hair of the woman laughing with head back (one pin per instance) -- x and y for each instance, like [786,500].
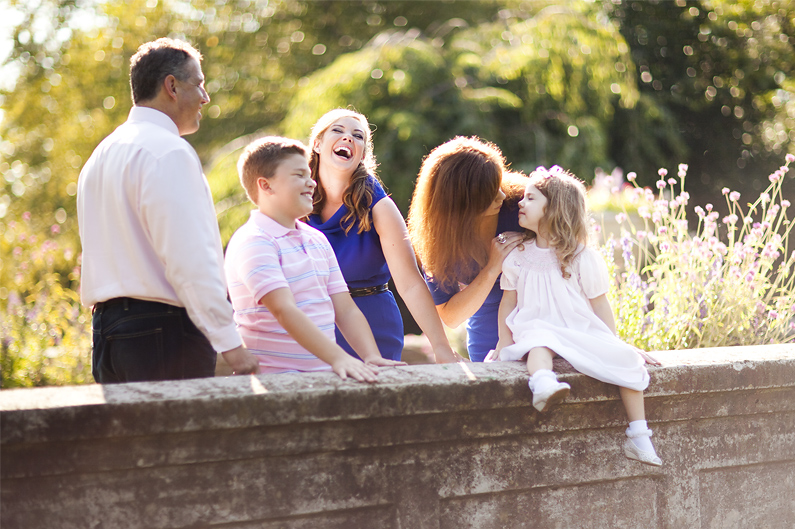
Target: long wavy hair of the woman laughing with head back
[358,196]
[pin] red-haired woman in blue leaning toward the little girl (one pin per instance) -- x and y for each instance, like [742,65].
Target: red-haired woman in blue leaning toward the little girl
[463,222]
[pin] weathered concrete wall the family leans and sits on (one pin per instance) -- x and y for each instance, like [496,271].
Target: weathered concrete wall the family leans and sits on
[442,447]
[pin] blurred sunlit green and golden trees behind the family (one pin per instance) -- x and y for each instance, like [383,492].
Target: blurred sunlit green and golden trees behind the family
[596,86]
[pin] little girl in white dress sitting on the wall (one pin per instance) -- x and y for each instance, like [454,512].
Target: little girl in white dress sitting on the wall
[555,302]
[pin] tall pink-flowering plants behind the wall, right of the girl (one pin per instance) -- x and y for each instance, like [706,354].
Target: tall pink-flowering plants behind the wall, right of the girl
[730,282]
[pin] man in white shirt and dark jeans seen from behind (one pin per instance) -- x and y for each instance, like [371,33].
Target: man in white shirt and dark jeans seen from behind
[152,257]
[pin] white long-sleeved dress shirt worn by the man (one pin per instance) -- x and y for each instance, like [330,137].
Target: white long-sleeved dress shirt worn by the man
[148,227]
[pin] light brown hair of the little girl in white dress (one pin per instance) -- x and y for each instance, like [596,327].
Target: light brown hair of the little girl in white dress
[565,218]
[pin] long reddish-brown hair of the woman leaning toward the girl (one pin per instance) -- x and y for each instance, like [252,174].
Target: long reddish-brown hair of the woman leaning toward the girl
[457,183]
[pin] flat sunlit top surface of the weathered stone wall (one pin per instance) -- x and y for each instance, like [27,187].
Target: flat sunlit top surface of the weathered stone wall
[466,374]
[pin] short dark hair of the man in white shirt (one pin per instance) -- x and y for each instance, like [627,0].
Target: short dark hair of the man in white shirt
[156,60]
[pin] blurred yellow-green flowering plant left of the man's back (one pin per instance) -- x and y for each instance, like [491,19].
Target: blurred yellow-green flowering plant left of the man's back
[45,334]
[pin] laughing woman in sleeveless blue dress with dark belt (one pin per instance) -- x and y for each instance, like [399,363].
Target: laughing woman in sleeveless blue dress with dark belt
[368,234]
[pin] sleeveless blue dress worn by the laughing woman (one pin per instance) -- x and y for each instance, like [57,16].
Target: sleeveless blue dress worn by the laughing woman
[363,265]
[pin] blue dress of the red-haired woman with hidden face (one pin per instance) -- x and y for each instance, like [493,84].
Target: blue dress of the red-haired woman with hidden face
[482,331]
